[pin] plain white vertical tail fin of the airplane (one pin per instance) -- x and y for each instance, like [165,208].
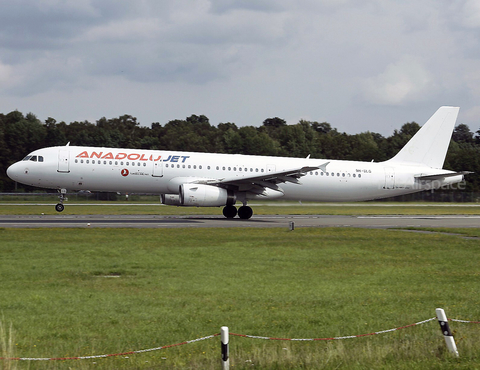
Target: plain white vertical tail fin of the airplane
[430,144]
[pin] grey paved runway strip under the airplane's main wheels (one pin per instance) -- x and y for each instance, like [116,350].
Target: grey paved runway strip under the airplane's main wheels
[279,221]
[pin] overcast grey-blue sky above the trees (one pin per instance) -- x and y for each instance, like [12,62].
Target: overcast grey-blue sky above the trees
[369,65]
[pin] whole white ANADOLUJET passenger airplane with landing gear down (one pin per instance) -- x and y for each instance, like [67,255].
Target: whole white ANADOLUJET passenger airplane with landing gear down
[194,179]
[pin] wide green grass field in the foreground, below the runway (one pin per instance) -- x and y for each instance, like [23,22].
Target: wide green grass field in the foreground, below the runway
[82,292]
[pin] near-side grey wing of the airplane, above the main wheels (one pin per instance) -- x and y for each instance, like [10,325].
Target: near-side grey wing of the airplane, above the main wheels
[270,180]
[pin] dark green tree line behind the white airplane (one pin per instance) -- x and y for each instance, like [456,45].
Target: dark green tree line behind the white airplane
[20,134]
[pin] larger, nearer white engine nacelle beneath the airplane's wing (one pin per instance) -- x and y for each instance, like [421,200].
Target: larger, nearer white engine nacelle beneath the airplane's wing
[200,195]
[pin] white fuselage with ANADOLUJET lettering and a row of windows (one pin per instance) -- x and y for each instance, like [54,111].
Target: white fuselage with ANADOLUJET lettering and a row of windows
[162,172]
